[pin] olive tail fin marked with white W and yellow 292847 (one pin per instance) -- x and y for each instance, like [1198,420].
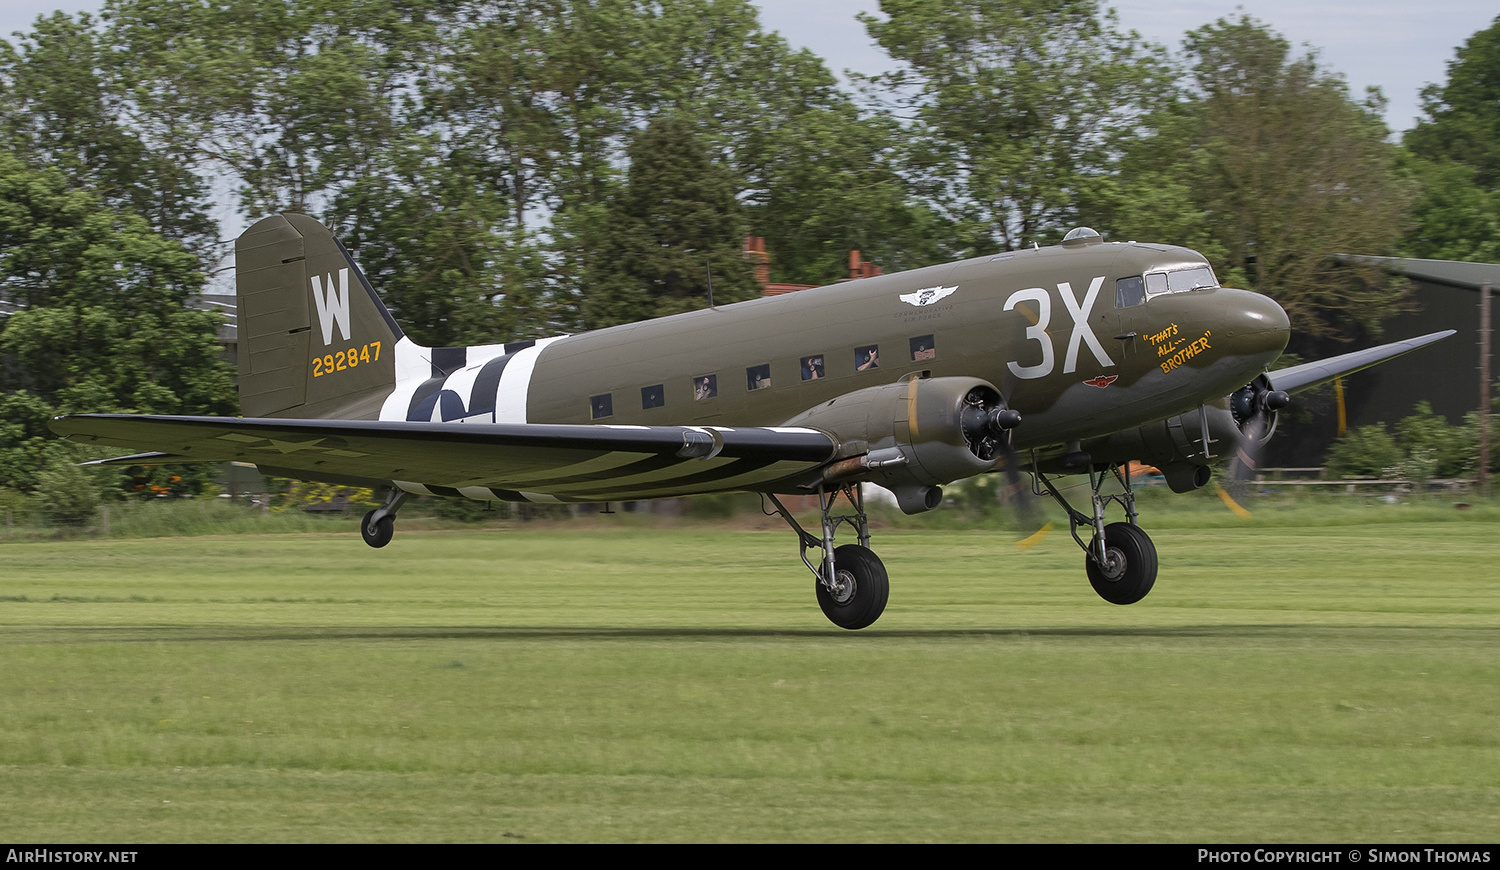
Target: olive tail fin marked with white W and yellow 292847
[316,340]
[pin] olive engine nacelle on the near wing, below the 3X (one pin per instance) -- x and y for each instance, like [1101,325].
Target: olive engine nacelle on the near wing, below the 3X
[920,434]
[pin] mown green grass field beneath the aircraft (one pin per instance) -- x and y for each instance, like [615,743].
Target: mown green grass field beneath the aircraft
[599,682]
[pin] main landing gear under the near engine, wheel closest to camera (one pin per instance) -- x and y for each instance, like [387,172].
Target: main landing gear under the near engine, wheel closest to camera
[853,586]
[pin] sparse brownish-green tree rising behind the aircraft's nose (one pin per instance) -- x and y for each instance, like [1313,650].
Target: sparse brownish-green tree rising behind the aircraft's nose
[1270,167]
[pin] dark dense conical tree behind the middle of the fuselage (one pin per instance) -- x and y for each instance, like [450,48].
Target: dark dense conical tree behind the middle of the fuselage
[676,221]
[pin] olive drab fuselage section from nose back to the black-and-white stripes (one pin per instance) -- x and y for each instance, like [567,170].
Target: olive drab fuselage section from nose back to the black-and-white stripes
[1045,326]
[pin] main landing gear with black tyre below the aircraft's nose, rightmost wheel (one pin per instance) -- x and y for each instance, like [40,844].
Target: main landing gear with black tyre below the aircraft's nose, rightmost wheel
[1120,559]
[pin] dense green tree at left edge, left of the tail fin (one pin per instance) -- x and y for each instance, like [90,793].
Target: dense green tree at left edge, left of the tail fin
[101,320]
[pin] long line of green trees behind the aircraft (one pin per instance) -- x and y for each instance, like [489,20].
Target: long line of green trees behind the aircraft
[514,169]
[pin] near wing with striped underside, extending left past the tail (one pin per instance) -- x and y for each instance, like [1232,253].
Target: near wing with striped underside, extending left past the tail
[487,461]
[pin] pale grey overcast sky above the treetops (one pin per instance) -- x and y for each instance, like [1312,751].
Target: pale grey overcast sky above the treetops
[1399,46]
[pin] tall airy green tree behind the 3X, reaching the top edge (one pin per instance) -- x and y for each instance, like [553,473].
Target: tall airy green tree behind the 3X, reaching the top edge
[1013,112]
